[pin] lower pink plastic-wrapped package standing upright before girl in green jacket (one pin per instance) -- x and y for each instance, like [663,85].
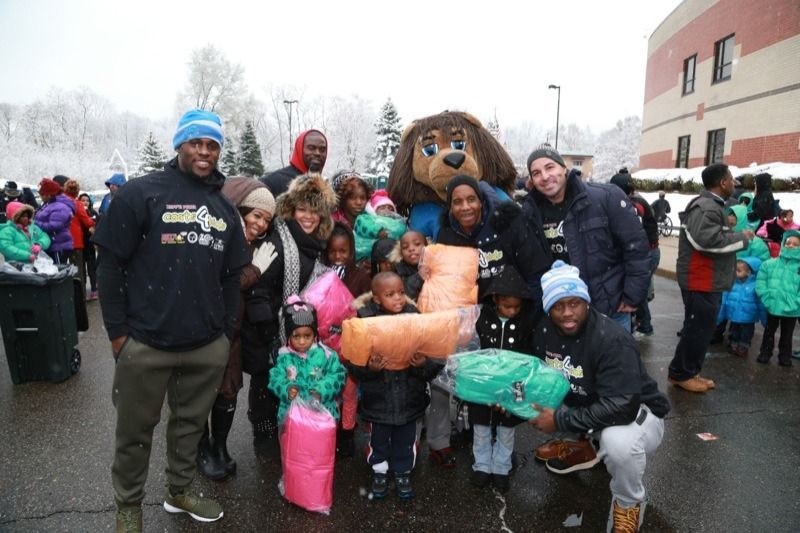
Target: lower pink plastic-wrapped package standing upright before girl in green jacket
[308,450]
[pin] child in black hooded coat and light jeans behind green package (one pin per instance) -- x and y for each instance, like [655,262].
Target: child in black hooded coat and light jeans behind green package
[507,322]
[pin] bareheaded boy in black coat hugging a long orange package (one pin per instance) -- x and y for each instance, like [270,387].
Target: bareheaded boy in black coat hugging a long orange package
[392,400]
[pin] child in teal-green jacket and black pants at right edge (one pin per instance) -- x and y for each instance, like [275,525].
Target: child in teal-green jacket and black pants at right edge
[778,286]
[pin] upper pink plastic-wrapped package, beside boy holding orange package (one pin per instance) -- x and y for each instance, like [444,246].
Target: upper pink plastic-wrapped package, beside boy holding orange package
[331,299]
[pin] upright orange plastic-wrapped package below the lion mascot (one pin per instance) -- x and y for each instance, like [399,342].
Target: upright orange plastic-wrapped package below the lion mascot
[451,274]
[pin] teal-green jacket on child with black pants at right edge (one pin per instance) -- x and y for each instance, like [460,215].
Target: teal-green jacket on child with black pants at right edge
[778,281]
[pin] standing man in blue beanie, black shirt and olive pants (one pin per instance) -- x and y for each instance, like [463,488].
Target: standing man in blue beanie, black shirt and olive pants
[171,248]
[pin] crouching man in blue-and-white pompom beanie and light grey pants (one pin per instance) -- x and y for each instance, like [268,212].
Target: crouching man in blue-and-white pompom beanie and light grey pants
[611,397]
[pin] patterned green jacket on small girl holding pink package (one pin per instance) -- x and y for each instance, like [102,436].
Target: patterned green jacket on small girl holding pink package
[318,370]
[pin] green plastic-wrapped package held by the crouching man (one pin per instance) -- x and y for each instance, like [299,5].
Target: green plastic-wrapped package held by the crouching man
[511,379]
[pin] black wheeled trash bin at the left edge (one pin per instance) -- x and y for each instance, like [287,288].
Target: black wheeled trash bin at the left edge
[37,318]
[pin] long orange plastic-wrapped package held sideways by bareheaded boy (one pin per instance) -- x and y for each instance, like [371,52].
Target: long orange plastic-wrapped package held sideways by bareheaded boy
[398,337]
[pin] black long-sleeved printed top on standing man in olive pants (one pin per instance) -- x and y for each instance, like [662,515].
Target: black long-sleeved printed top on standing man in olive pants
[171,250]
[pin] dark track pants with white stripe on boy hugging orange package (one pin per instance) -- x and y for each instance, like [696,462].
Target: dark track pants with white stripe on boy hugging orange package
[393,447]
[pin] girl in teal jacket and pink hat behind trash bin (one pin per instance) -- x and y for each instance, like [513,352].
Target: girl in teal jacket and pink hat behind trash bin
[20,239]
